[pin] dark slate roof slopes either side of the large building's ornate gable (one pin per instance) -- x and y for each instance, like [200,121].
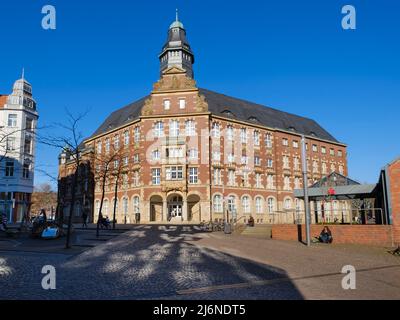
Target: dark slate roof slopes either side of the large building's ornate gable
[229,107]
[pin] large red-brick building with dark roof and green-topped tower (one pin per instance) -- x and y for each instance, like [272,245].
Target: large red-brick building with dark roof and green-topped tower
[191,154]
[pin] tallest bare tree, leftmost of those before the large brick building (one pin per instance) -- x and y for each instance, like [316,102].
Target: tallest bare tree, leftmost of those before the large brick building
[72,144]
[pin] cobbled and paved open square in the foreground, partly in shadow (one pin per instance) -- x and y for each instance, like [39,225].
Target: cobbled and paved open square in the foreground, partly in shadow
[167,262]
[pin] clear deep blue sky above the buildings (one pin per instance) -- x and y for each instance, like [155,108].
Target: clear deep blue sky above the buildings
[290,55]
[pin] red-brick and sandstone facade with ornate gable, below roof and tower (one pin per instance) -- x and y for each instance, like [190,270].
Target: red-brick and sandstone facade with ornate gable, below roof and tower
[264,160]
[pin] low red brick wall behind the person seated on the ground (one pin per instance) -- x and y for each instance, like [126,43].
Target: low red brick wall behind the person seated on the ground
[377,235]
